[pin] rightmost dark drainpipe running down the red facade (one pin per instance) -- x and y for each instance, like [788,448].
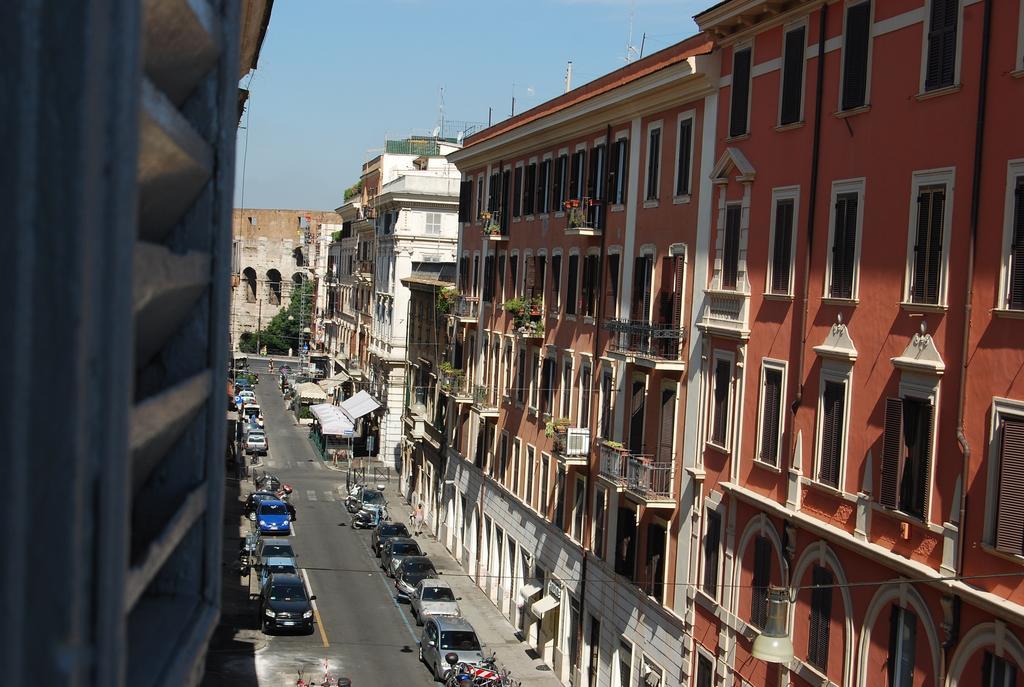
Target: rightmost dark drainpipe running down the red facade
[979,140]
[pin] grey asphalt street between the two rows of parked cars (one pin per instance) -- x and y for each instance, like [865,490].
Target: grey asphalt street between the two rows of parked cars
[363,632]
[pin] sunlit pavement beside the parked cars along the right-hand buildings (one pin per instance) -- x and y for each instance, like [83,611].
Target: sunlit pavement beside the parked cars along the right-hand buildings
[494,630]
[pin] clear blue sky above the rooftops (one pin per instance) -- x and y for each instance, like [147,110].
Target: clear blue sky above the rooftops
[336,77]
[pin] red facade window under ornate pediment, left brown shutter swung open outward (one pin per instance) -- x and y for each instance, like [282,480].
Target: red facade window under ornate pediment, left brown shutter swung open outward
[907,453]
